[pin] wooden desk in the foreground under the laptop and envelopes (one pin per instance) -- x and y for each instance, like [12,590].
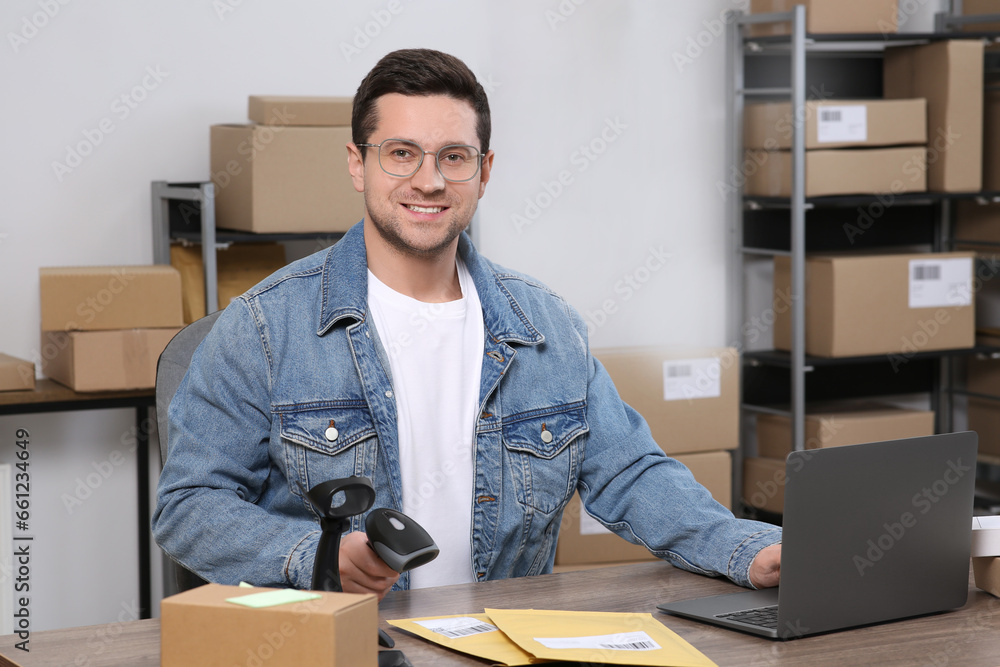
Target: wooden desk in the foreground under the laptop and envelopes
[969,636]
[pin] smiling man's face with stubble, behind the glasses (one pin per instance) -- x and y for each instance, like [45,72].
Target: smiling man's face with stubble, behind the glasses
[422,214]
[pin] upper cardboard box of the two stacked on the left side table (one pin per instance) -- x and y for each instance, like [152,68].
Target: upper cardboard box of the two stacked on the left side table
[95,298]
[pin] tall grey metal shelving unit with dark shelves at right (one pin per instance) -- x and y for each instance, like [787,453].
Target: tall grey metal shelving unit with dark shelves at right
[758,69]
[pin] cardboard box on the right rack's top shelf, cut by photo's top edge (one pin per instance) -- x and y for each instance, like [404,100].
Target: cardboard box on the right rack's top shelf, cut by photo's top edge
[831,16]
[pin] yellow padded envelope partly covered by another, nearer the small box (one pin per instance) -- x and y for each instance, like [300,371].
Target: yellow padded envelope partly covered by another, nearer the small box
[469,633]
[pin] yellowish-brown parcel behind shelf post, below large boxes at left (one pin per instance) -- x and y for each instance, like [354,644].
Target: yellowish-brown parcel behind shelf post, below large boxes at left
[238,268]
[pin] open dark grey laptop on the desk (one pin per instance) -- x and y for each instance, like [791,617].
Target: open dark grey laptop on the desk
[871,533]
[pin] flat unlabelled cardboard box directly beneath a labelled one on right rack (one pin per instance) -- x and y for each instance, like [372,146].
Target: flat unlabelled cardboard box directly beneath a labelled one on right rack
[845,171]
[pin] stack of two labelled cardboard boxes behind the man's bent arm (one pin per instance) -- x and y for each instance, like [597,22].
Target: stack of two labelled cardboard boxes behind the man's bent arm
[690,399]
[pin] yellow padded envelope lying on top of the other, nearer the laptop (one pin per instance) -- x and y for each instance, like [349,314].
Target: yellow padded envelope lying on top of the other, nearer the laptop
[586,636]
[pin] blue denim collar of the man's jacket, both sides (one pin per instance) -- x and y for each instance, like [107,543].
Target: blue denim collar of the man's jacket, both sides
[345,290]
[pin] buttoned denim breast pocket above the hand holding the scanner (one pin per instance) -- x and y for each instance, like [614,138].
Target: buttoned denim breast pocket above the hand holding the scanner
[326,442]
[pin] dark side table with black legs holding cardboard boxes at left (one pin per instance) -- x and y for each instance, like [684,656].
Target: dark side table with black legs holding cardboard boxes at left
[49,396]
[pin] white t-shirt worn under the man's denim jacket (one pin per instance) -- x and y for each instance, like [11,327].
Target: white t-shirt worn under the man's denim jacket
[435,353]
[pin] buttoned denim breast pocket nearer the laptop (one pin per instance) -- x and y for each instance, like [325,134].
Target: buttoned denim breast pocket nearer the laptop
[543,453]
